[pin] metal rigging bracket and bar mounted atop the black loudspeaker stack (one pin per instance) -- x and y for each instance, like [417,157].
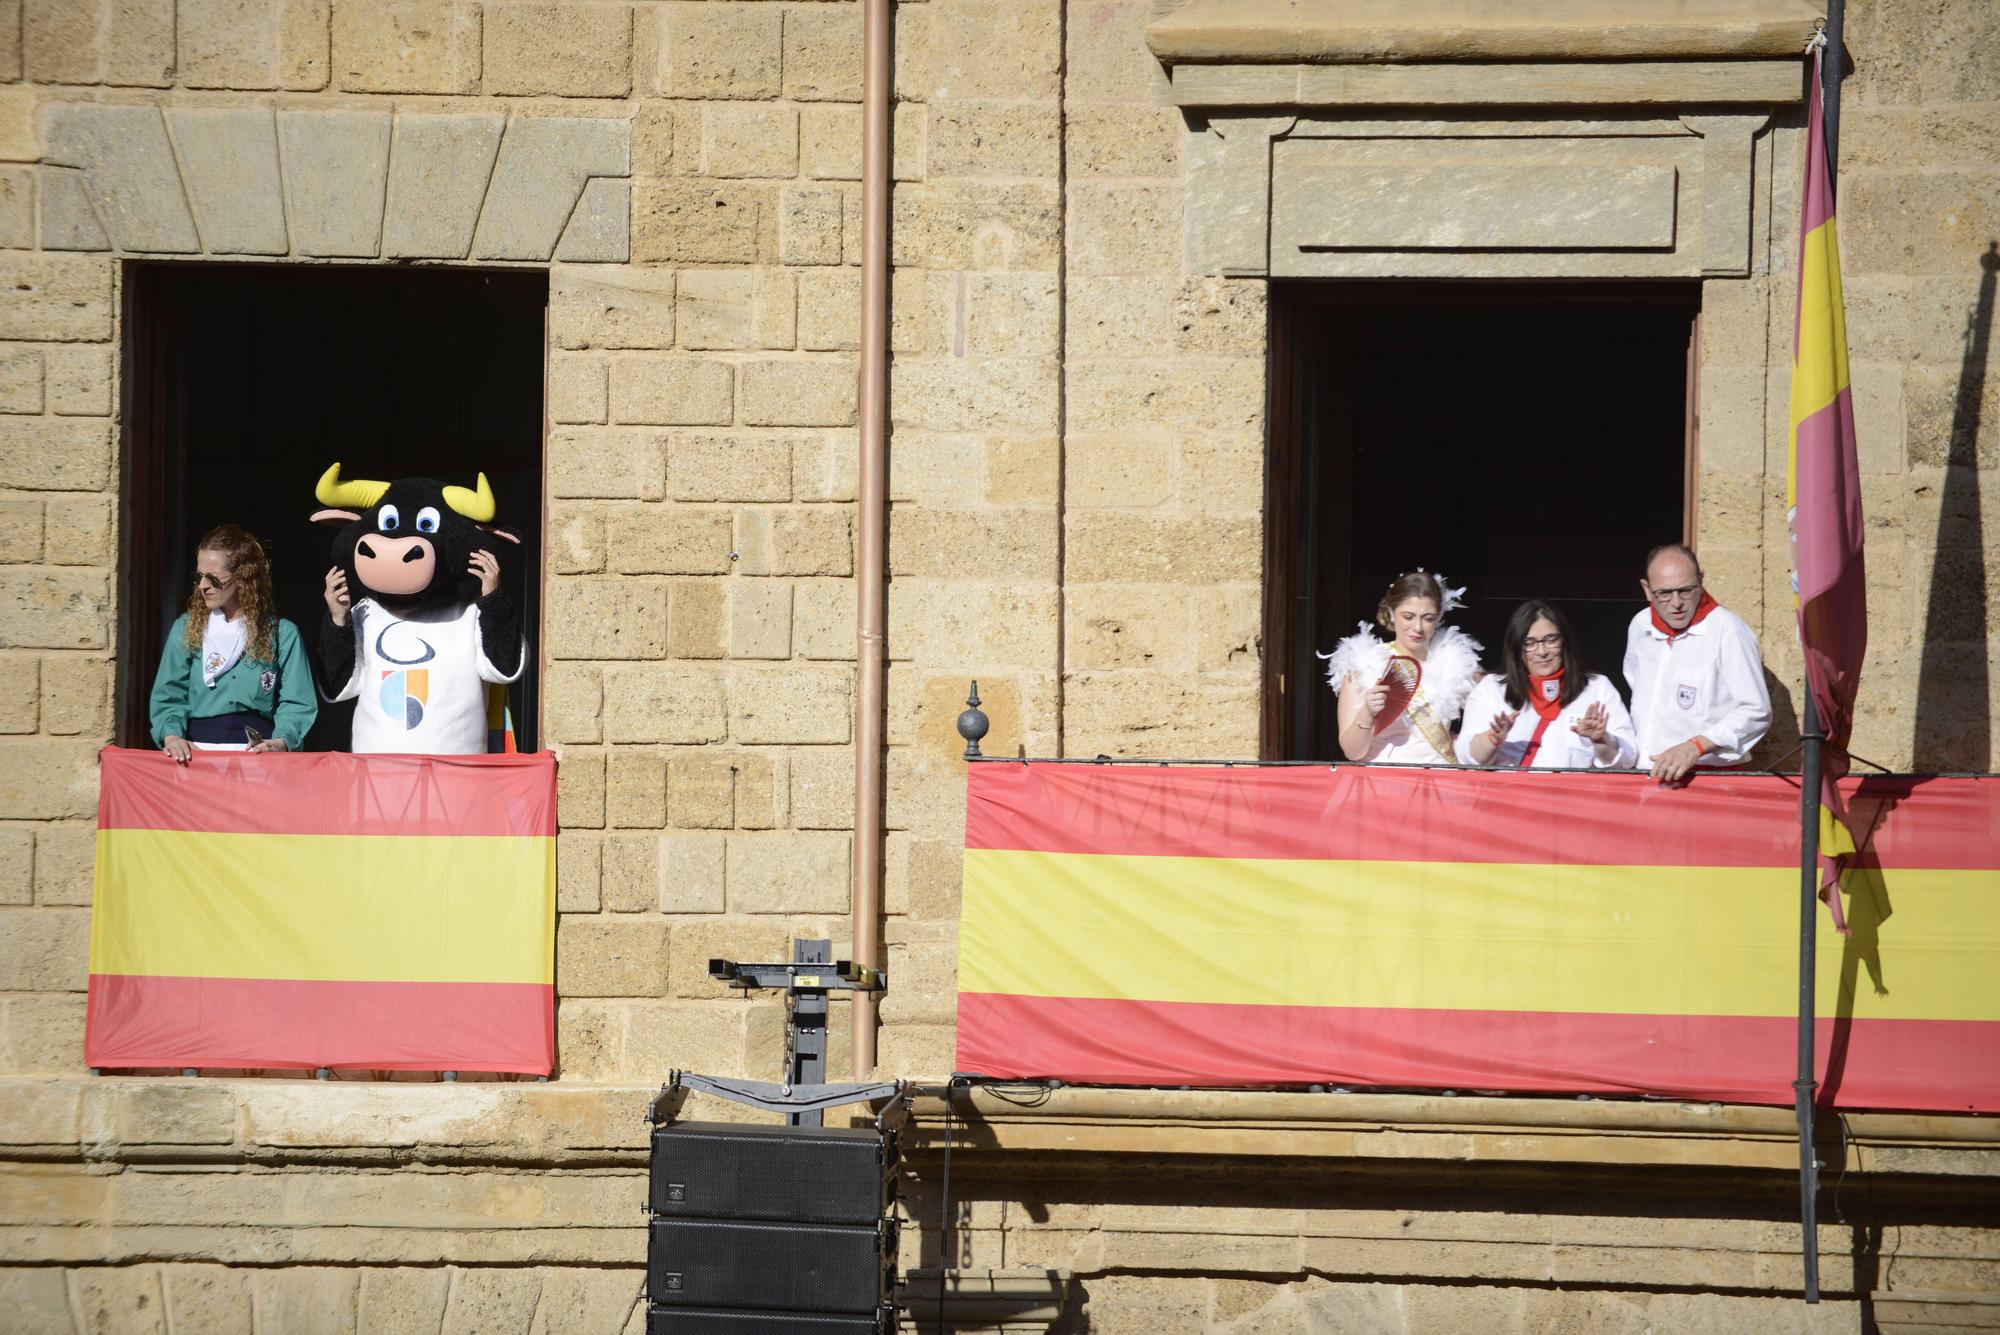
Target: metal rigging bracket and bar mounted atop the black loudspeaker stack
[805,1096]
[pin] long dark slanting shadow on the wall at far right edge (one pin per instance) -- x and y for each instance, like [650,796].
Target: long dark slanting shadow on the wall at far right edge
[1953,716]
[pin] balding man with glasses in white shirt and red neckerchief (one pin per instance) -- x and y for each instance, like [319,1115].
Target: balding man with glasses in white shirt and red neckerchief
[1697,676]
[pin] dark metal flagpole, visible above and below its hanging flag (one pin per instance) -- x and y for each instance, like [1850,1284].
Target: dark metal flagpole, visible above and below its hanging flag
[1809,804]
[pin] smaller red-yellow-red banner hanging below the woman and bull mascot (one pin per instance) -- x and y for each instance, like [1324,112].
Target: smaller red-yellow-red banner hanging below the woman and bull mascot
[383,912]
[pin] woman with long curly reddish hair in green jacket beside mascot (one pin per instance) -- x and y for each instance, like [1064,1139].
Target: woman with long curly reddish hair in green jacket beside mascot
[233,674]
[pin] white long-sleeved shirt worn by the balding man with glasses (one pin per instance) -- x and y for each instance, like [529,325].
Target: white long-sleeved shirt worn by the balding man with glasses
[1703,682]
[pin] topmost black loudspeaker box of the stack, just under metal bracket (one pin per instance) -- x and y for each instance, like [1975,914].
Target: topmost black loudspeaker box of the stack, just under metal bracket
[759,1172]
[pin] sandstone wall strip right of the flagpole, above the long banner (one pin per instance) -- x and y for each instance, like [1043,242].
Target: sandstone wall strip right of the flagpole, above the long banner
[1921,251]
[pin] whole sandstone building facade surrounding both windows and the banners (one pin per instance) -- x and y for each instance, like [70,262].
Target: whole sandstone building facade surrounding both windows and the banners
[1093,203]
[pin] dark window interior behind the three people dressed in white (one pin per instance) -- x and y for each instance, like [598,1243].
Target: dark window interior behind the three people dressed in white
[1529,441]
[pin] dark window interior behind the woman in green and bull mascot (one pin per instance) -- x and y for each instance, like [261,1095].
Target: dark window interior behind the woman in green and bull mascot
[247,383]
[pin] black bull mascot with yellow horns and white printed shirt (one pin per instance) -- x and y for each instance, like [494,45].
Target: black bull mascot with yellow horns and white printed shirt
[417,623]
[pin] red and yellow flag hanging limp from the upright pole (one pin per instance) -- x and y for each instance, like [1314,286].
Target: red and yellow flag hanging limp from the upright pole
[1823,493]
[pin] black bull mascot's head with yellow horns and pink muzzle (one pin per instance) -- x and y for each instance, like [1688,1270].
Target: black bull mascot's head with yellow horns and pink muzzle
[409,543]
